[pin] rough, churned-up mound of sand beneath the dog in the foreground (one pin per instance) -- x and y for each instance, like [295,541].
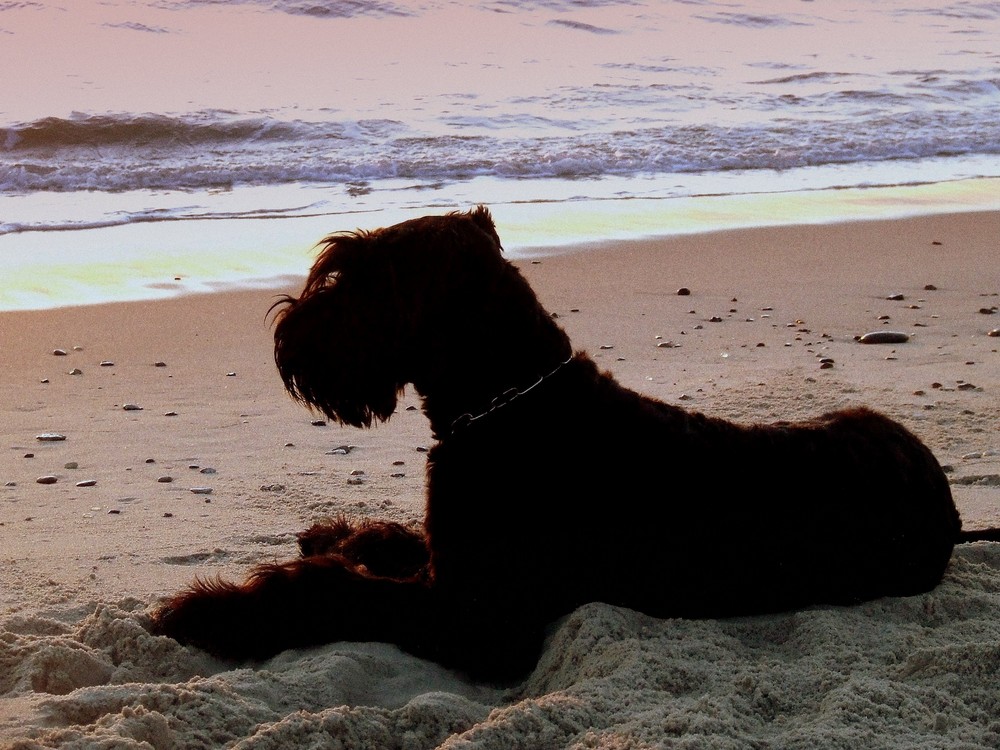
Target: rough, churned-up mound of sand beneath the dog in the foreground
[917,672]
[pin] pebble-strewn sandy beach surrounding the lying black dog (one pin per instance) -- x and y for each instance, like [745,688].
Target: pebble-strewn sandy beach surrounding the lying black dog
[81,565]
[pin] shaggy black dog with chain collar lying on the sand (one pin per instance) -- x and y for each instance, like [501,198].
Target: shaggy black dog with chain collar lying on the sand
[711,518]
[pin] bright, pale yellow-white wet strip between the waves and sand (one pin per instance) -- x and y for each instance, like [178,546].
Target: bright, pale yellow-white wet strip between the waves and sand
[165,258]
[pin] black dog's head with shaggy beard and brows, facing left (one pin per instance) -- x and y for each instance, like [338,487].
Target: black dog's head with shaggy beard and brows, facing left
[376,306]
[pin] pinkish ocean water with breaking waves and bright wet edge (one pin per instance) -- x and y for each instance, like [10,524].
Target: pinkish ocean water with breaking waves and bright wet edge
[151,147]
